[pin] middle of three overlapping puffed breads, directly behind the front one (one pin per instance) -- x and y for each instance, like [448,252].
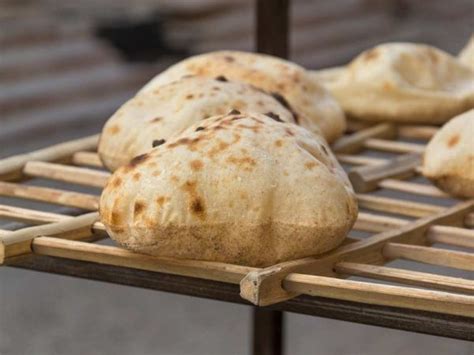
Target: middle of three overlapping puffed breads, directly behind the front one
[156,115]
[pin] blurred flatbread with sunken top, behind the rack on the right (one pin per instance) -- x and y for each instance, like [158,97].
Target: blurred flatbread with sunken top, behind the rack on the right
[401,82]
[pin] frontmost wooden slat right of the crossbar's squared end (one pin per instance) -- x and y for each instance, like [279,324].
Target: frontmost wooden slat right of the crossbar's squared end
[395,296]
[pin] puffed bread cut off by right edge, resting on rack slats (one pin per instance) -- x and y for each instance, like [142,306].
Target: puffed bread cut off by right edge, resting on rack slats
[449,156]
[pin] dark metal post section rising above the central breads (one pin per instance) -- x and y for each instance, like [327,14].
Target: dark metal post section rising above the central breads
[272,22]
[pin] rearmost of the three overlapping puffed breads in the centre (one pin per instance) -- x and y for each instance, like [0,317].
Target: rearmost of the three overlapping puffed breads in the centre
[314,106]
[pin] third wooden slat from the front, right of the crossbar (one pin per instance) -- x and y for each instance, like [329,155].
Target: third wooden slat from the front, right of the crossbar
[430,255]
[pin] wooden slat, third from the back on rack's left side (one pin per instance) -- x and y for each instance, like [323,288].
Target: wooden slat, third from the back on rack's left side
[49,195]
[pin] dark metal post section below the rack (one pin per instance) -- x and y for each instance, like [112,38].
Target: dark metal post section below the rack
[267,332]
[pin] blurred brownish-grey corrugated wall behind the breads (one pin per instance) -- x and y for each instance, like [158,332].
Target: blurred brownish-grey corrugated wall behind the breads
[57,79]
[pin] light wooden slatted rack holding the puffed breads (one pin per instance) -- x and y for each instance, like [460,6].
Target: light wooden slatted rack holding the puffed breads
[381,159]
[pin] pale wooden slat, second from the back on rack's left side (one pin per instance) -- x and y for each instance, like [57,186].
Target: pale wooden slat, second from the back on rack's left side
[82,176]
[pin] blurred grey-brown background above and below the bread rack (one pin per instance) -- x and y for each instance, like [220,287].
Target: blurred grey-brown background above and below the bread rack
[66,66]
